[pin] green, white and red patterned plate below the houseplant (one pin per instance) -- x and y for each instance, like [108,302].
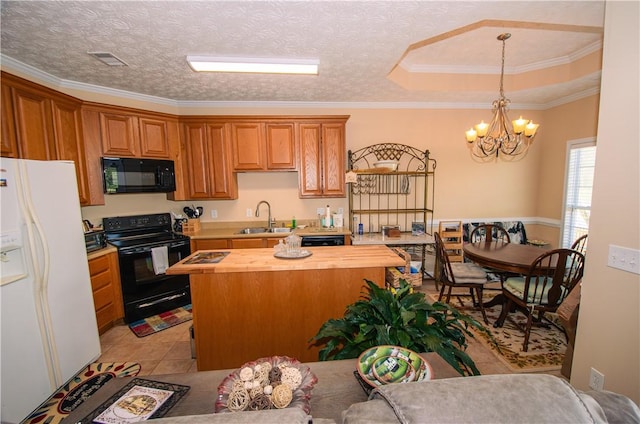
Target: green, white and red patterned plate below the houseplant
[387,364]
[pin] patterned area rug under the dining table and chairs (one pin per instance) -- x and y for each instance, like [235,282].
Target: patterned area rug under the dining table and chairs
[546,345]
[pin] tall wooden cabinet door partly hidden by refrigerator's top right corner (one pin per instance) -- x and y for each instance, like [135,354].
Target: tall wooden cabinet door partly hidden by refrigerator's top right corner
[67,128]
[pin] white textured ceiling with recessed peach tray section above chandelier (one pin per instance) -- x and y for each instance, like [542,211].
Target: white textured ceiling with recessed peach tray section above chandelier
[358,43]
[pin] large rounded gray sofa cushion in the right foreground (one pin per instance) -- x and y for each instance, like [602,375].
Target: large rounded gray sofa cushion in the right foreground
[504,398]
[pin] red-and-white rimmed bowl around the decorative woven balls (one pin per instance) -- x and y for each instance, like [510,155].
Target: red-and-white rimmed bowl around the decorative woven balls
[301,394]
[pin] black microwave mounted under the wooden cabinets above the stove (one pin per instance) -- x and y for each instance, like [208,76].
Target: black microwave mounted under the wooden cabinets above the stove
[130,175]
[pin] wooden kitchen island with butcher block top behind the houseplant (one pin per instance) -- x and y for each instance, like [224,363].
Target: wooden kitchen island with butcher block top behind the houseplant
[252,305]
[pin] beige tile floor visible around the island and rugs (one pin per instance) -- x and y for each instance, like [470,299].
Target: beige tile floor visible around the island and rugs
[169,351]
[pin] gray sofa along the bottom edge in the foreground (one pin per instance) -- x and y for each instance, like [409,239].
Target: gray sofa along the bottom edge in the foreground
[511,398]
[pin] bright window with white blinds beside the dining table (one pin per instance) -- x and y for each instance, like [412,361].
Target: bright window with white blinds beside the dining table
[581,160]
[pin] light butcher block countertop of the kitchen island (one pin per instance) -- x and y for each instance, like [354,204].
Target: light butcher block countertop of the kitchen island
[326,257]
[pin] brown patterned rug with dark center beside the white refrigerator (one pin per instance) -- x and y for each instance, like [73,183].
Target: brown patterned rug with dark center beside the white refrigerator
[79,389]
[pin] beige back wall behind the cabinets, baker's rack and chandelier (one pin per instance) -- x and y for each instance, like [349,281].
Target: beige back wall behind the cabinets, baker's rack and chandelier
[465,188]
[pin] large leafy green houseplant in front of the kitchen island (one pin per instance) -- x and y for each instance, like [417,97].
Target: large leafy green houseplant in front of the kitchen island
[399,317]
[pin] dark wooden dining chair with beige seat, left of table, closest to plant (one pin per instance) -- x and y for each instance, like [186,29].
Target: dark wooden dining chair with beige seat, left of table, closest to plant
[459,275]
